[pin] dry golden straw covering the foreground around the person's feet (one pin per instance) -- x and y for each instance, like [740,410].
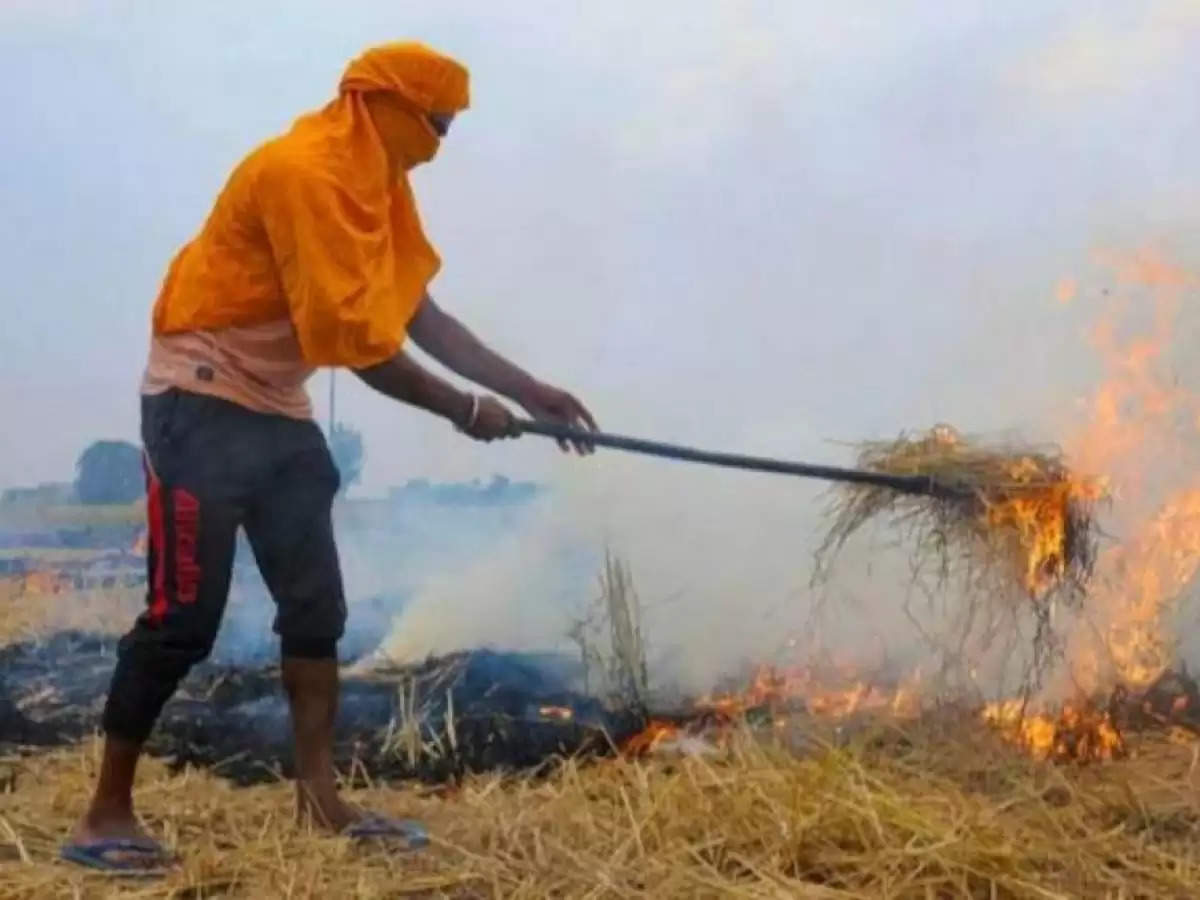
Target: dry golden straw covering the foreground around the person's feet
[929,818]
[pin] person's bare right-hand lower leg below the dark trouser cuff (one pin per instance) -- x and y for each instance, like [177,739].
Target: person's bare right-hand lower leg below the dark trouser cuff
[313,688]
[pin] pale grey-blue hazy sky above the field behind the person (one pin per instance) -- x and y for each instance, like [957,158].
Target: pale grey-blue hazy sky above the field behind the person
[752,225]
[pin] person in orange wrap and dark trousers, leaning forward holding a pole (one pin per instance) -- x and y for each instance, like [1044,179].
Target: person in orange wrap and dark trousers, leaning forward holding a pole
[314,256]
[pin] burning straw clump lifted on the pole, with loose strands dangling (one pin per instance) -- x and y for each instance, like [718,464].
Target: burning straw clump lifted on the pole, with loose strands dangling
[1009,537]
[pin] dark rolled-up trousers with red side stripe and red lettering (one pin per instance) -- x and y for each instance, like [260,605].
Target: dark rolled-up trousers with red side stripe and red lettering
[213,467]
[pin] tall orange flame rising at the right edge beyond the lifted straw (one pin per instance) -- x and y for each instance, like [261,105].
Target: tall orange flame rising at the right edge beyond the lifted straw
[1142,429]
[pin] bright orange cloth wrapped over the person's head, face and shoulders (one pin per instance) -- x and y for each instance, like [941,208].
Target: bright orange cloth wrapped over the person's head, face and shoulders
[337,243]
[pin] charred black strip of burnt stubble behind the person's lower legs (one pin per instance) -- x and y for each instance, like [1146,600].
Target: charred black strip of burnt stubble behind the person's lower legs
[475,711]
